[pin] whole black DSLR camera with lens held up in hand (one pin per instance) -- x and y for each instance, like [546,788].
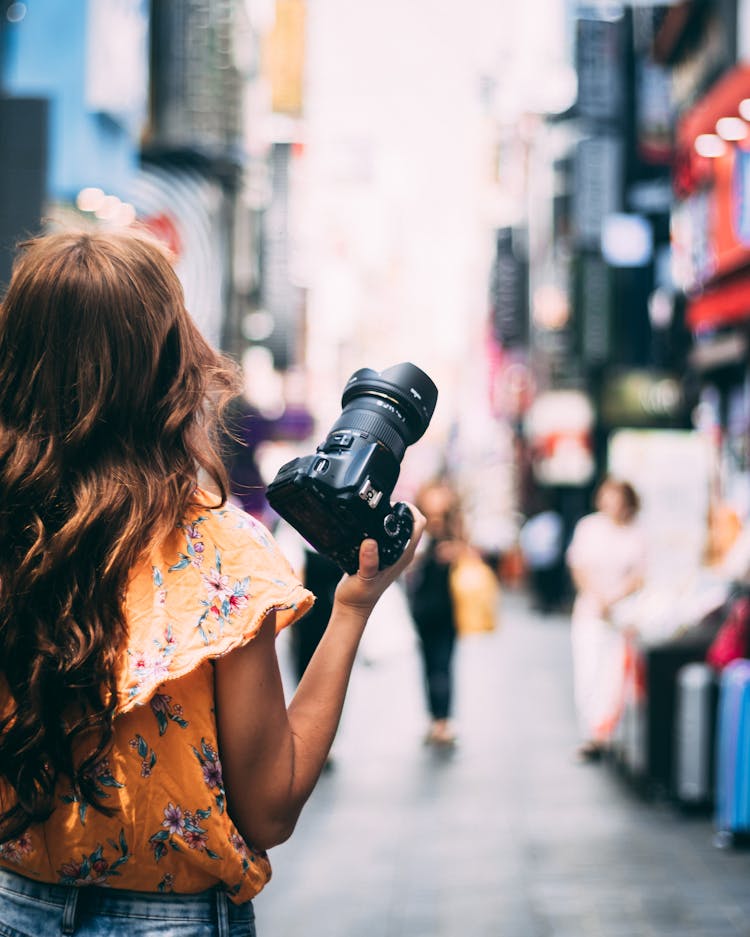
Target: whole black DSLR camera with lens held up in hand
[341,495]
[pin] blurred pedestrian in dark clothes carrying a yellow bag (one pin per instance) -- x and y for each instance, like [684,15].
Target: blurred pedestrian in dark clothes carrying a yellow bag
[431,601]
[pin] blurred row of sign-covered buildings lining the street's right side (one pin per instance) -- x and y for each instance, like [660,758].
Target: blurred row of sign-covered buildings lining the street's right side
[618,293]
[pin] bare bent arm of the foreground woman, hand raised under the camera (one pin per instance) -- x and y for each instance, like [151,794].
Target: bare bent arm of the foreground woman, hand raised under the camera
[272,755]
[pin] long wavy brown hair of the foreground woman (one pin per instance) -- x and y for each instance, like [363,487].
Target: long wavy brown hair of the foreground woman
[109,404]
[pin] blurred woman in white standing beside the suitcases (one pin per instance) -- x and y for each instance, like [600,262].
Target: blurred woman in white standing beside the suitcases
[606,558]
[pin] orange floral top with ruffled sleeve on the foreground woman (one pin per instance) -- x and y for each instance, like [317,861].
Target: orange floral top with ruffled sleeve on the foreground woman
[198,597]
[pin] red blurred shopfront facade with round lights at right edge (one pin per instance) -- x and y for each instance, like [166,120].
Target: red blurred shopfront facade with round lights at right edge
[707,49]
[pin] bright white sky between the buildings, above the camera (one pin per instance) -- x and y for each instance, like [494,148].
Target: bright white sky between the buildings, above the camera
[397,224]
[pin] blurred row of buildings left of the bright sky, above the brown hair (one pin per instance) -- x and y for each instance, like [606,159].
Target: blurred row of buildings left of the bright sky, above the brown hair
[159,113]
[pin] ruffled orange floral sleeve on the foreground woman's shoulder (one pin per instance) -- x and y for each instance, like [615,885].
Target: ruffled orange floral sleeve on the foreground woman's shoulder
[200,596]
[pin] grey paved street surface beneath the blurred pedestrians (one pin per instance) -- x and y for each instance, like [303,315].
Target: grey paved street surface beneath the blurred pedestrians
[506,837]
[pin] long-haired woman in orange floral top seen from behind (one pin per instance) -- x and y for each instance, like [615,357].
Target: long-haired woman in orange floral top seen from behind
[145,744]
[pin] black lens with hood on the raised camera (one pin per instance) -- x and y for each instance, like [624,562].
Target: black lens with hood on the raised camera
[395,405]
